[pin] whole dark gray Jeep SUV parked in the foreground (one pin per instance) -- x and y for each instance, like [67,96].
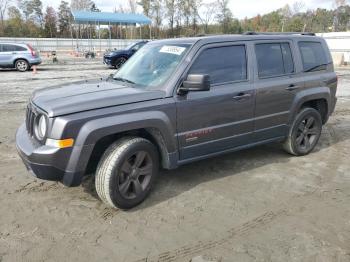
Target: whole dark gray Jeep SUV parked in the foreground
[177,101]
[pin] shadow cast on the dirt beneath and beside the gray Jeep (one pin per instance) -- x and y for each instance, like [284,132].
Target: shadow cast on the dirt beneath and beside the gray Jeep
[171,183]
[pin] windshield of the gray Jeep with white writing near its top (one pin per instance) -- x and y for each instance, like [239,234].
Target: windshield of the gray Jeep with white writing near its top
[152,65]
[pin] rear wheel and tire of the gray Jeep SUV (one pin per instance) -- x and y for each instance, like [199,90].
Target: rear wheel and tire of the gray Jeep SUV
[304,132]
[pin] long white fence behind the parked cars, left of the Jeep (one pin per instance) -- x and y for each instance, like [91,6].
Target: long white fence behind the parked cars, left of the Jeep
[68,44]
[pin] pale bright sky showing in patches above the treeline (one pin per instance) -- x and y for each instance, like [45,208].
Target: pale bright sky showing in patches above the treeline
[239,8]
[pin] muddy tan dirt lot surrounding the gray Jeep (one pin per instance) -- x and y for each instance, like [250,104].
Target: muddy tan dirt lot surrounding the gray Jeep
[256,205]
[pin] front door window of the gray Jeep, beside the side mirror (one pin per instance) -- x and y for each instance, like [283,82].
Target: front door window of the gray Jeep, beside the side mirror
[223,64]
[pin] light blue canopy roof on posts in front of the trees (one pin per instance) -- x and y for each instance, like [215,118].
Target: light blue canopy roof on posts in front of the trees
[108,18]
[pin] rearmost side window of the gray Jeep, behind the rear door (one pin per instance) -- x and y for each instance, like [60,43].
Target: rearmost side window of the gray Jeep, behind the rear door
[313,56]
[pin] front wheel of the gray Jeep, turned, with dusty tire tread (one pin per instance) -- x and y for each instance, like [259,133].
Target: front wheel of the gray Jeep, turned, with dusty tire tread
[126,172]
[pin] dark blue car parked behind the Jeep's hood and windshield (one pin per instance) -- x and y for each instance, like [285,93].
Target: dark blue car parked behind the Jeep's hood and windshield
[117,58]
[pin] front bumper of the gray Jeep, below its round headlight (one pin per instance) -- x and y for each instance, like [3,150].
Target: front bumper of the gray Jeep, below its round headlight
[45,162]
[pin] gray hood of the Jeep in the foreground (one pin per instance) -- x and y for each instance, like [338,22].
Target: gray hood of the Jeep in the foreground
[88,95]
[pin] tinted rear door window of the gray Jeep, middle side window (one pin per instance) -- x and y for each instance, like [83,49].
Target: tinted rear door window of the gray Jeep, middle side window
[274,59]
